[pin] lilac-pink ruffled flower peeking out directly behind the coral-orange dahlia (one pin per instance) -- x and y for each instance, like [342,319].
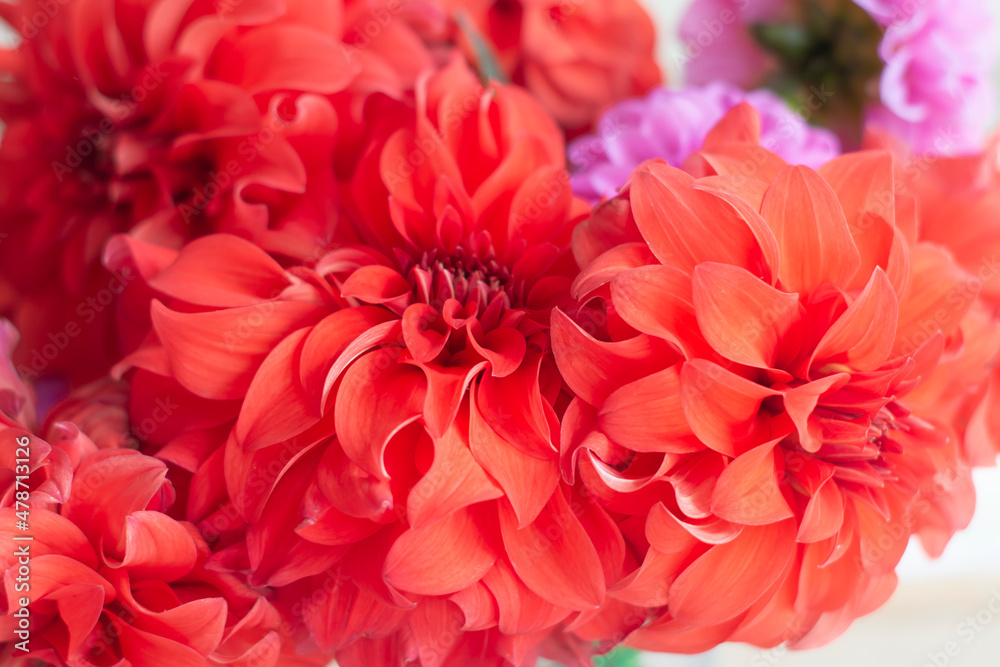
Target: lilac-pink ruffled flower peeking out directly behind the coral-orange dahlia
[672,124]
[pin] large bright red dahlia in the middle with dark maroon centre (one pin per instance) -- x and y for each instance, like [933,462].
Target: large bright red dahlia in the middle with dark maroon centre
[374,436]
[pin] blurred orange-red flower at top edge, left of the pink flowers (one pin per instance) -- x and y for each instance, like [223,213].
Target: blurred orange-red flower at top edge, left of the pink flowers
[577,57]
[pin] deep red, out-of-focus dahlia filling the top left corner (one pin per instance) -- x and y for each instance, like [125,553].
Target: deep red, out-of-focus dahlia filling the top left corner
[169,118]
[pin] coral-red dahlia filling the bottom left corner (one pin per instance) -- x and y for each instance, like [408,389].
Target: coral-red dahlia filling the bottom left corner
[98,574]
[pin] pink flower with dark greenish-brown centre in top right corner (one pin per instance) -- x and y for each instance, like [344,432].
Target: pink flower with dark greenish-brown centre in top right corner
[920,70]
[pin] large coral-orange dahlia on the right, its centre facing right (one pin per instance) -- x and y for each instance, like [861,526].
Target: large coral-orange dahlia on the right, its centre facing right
[744,412]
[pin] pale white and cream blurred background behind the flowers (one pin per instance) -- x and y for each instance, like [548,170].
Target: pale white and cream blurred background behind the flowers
[945,612]
